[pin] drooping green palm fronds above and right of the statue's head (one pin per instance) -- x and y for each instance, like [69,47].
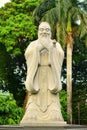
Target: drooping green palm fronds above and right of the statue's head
[56,12]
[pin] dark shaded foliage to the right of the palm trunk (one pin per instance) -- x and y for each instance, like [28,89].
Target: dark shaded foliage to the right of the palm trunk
[80,82]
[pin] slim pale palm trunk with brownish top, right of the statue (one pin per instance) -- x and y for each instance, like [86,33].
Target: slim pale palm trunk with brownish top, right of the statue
[69,76]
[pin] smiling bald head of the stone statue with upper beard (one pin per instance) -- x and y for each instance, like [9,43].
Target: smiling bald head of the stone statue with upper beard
[44,30]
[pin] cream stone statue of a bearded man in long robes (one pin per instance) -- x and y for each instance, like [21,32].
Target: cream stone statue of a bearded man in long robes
[44,58]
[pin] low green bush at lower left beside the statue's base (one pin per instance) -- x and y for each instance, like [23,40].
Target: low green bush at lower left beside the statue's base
[10,113]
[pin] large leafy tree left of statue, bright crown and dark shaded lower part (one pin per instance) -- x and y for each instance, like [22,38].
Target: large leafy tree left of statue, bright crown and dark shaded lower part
[17,30]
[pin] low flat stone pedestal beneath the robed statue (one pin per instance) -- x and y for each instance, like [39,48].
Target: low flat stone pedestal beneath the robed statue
[44,126]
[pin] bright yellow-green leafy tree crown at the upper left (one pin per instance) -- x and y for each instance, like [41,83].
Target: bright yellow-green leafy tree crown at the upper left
[16,24]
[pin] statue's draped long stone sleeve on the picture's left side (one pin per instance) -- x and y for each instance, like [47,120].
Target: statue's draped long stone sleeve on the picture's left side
[31,56]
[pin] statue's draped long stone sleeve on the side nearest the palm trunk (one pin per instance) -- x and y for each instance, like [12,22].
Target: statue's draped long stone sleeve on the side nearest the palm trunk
[56,59]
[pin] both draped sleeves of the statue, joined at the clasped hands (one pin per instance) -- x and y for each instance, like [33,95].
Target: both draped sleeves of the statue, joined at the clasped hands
[32,56]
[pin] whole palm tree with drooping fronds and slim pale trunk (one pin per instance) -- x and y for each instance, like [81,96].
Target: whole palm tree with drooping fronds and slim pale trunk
[62,15]
